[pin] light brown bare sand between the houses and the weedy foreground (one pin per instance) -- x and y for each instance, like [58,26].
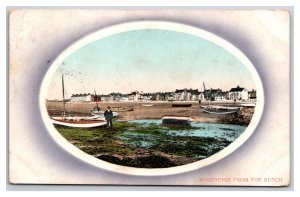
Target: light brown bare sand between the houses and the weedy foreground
[140,111]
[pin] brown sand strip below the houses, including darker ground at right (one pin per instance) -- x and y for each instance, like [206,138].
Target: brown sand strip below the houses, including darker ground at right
[152,110]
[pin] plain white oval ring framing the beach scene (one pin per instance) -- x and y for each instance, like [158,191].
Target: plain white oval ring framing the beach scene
[151,25]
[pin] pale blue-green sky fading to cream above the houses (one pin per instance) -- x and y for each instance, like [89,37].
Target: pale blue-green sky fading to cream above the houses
[149,61]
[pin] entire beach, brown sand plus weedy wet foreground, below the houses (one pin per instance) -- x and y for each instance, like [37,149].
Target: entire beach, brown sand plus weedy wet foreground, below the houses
[139,139]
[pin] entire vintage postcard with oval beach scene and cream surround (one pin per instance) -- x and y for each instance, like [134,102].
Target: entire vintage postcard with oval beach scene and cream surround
[188,97]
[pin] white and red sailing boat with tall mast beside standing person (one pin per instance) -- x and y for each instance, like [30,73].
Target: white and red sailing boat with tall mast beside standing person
[76,121]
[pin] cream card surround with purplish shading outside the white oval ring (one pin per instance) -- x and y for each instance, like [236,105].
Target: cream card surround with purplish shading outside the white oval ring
[36,37]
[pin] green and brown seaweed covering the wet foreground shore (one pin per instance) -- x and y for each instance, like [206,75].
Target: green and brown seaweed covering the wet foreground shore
[134,144]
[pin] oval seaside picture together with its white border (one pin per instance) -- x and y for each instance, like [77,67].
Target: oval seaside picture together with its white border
[131,52]
